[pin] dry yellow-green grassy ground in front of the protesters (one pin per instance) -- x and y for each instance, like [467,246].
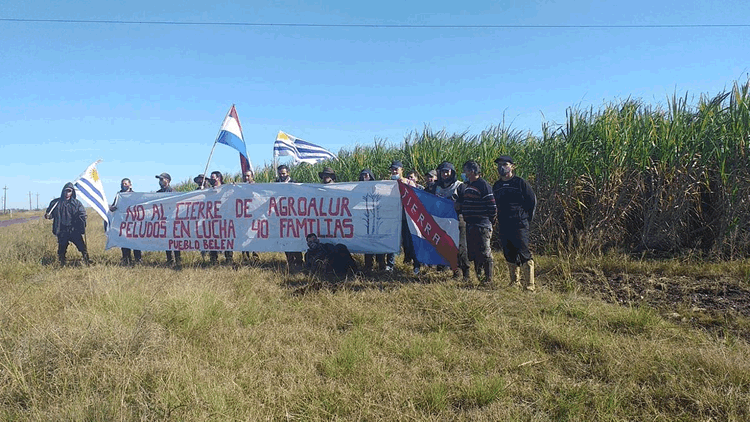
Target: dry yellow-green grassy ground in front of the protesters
[256,343]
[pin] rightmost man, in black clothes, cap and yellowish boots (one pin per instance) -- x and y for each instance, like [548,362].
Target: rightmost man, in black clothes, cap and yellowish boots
[516,204]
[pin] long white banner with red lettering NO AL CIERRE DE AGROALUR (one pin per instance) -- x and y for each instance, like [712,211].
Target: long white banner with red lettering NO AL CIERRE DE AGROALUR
[262,217]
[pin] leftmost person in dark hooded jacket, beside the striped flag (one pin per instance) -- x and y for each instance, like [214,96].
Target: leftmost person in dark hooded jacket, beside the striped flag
[68,223]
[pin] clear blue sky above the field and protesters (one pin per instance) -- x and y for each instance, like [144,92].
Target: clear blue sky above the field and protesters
[148,99]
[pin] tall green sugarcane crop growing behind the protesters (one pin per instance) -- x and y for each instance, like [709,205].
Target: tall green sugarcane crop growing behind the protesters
[627,176]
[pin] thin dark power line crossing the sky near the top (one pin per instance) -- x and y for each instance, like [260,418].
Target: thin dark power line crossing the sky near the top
[375,25]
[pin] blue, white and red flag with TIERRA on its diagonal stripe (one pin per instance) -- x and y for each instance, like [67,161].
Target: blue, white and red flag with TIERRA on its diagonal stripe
[433,225]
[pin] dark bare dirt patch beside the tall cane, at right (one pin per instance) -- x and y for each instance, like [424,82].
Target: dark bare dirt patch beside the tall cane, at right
[719,305]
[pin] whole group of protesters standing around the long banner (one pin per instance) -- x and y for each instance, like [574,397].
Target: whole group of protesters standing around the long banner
[507,207]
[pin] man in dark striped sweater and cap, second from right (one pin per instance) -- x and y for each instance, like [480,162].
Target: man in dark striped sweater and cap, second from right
[477,205]
